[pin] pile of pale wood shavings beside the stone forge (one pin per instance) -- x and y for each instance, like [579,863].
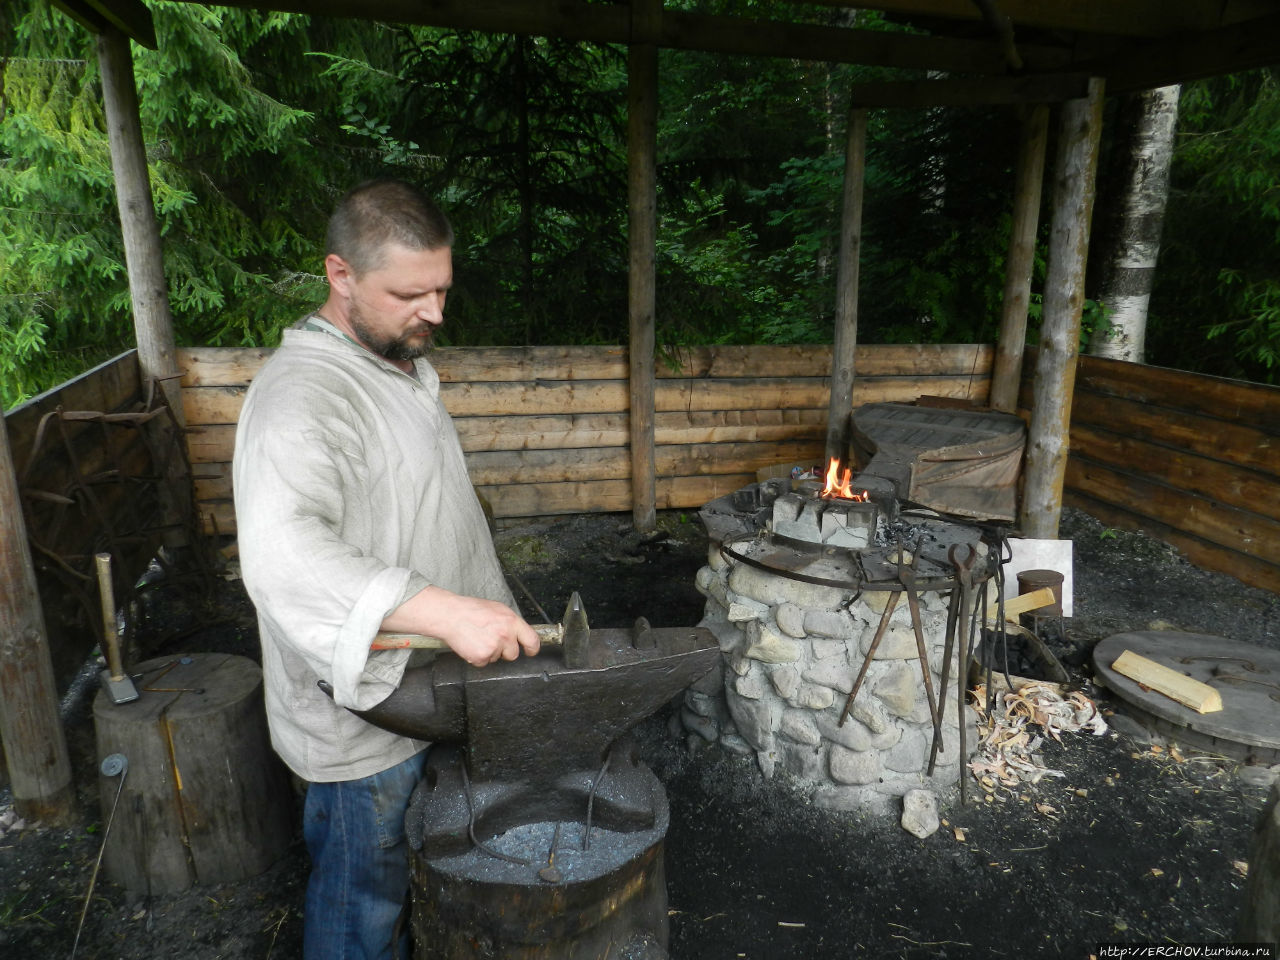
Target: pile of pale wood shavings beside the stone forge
[1008,755]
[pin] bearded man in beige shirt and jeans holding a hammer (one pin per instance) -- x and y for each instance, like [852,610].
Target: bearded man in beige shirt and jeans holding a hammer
[355,514]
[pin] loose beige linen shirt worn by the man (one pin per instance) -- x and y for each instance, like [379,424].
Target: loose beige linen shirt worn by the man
[351,496]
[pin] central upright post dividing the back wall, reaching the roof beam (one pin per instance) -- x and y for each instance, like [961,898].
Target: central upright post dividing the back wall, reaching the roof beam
[643,232]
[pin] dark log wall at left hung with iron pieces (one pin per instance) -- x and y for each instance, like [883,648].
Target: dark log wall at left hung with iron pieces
[81,484]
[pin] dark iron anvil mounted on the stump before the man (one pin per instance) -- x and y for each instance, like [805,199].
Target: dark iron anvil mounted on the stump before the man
[534,720]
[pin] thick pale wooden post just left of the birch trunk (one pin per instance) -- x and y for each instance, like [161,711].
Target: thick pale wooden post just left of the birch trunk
[1075,184]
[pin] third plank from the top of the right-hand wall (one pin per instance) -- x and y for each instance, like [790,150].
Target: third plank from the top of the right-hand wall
[1236,487]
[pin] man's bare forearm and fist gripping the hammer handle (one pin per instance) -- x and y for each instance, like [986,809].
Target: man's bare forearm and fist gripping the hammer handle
[479,632]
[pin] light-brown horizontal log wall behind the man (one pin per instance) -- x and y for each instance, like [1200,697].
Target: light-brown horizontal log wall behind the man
[545,429]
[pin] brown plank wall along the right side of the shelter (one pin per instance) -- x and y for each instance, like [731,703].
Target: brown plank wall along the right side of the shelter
[1191,460]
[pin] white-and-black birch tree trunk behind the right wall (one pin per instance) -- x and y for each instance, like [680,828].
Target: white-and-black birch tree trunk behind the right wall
[1130,263]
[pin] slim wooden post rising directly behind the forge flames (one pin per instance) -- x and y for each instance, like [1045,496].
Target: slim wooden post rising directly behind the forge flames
[847,290]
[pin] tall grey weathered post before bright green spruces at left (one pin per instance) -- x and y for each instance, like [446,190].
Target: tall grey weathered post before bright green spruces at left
[153,322]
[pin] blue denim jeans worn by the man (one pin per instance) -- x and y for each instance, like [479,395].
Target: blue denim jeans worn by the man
[355,833]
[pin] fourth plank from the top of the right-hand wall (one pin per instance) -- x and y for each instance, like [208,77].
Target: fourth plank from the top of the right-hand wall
[1200,515]
